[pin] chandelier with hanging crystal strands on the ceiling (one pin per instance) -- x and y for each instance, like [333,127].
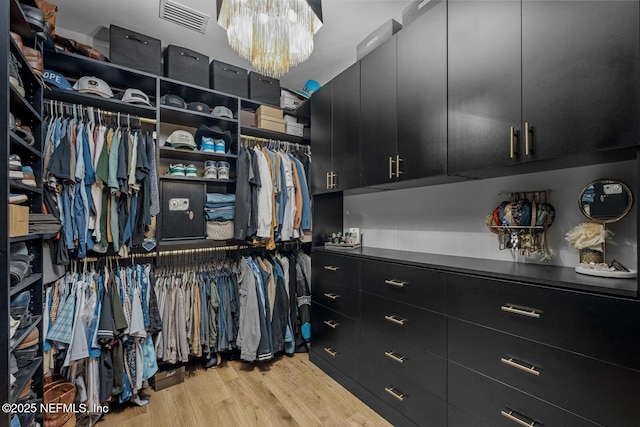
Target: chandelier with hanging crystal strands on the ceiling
[273,35]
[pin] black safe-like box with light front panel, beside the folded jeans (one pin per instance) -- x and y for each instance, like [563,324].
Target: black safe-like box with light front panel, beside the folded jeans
[182,210]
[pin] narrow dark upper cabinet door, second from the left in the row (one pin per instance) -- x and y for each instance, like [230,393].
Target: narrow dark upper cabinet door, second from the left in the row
[346,129]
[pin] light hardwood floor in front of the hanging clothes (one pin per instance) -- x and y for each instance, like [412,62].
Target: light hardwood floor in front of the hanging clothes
[290,391]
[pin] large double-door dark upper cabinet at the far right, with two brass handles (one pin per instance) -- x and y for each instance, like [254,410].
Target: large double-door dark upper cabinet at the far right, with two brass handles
[537,80]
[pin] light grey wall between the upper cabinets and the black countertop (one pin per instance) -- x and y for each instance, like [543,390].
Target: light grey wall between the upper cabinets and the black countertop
[449,219]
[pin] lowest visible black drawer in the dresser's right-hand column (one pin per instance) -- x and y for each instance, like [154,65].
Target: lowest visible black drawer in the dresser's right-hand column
[499,405]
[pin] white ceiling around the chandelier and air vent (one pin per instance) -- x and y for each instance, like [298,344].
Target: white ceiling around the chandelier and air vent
[346,23]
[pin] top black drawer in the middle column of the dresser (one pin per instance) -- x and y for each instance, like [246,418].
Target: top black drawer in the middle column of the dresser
[412,285]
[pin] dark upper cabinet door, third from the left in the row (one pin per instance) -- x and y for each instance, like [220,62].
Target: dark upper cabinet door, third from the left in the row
[378,114]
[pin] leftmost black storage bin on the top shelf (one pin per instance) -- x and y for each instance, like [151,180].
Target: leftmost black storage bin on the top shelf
[135,50]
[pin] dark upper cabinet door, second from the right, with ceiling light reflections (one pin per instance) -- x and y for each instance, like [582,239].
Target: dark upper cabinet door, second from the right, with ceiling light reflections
[484,83]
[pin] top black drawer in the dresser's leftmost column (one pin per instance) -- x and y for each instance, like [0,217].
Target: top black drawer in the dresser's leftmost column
[335,268]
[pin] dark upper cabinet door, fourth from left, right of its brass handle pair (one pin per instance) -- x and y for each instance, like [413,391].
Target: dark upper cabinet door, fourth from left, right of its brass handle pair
[422,94]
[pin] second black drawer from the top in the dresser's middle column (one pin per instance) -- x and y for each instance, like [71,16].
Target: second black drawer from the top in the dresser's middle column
[423,328]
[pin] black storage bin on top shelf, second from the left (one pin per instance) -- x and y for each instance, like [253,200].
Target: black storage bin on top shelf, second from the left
[186,65]
